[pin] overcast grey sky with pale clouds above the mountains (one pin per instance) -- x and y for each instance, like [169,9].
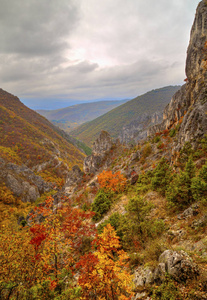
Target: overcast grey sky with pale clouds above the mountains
[54,53]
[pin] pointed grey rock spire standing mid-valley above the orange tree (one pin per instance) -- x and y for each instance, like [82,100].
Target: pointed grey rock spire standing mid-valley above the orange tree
[101,147]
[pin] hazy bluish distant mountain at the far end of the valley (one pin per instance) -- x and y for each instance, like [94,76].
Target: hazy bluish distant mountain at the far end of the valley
[73,116]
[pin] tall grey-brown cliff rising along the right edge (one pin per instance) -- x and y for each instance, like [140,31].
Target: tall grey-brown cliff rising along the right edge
[188,107]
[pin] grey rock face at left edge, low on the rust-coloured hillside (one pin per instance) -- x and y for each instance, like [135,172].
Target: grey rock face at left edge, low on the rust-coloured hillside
[22,181]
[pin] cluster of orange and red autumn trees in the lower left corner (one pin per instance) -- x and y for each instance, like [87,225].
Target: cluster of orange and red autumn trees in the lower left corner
[37,255]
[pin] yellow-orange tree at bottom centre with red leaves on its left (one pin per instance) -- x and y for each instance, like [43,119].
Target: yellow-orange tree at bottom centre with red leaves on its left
[103,273]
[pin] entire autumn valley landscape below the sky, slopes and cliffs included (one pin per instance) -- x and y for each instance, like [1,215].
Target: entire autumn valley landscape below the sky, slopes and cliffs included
[117,208]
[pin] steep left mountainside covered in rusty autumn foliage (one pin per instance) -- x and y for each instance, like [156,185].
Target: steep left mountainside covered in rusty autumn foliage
[32,150]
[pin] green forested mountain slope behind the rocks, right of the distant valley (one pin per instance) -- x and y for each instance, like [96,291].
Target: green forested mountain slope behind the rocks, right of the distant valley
[144,110]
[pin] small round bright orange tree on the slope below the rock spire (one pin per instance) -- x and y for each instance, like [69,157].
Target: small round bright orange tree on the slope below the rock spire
[112,182]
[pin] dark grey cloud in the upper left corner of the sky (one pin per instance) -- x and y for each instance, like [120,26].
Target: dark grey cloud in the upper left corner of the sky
[36,27]
